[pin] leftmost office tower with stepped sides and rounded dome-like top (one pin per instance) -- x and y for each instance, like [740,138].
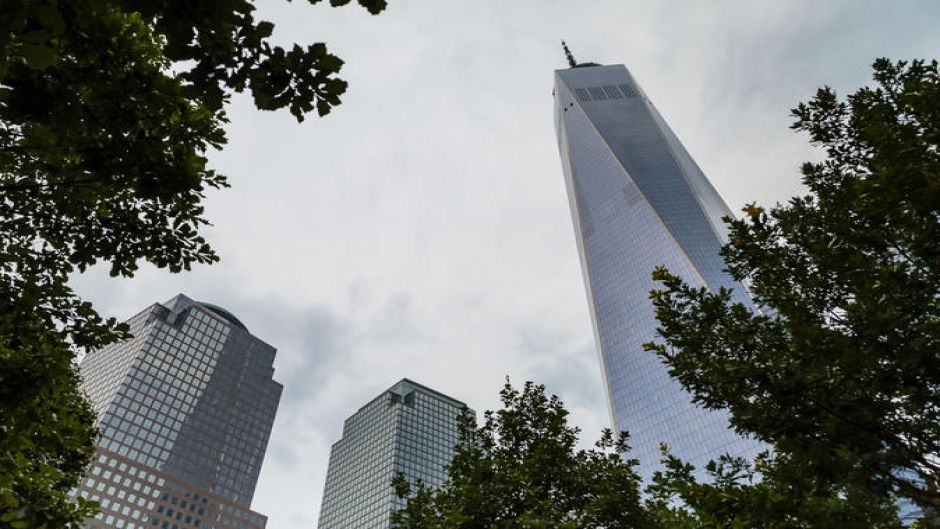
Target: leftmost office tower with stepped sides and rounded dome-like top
[185,409]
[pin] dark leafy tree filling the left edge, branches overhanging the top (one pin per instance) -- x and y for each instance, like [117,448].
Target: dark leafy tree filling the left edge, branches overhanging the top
[107,109]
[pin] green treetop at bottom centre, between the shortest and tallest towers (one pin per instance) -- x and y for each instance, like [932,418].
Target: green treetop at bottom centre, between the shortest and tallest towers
[521,469]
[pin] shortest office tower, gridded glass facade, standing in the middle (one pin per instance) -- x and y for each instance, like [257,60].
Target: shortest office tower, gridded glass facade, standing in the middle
[410,429]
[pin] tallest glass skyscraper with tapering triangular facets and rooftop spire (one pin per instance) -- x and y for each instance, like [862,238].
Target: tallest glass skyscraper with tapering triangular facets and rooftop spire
[638,201]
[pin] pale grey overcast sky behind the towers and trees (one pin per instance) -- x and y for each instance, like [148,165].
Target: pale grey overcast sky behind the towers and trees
[422,229]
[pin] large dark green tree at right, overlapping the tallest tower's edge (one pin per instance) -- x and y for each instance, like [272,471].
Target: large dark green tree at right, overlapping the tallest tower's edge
[840,373]
